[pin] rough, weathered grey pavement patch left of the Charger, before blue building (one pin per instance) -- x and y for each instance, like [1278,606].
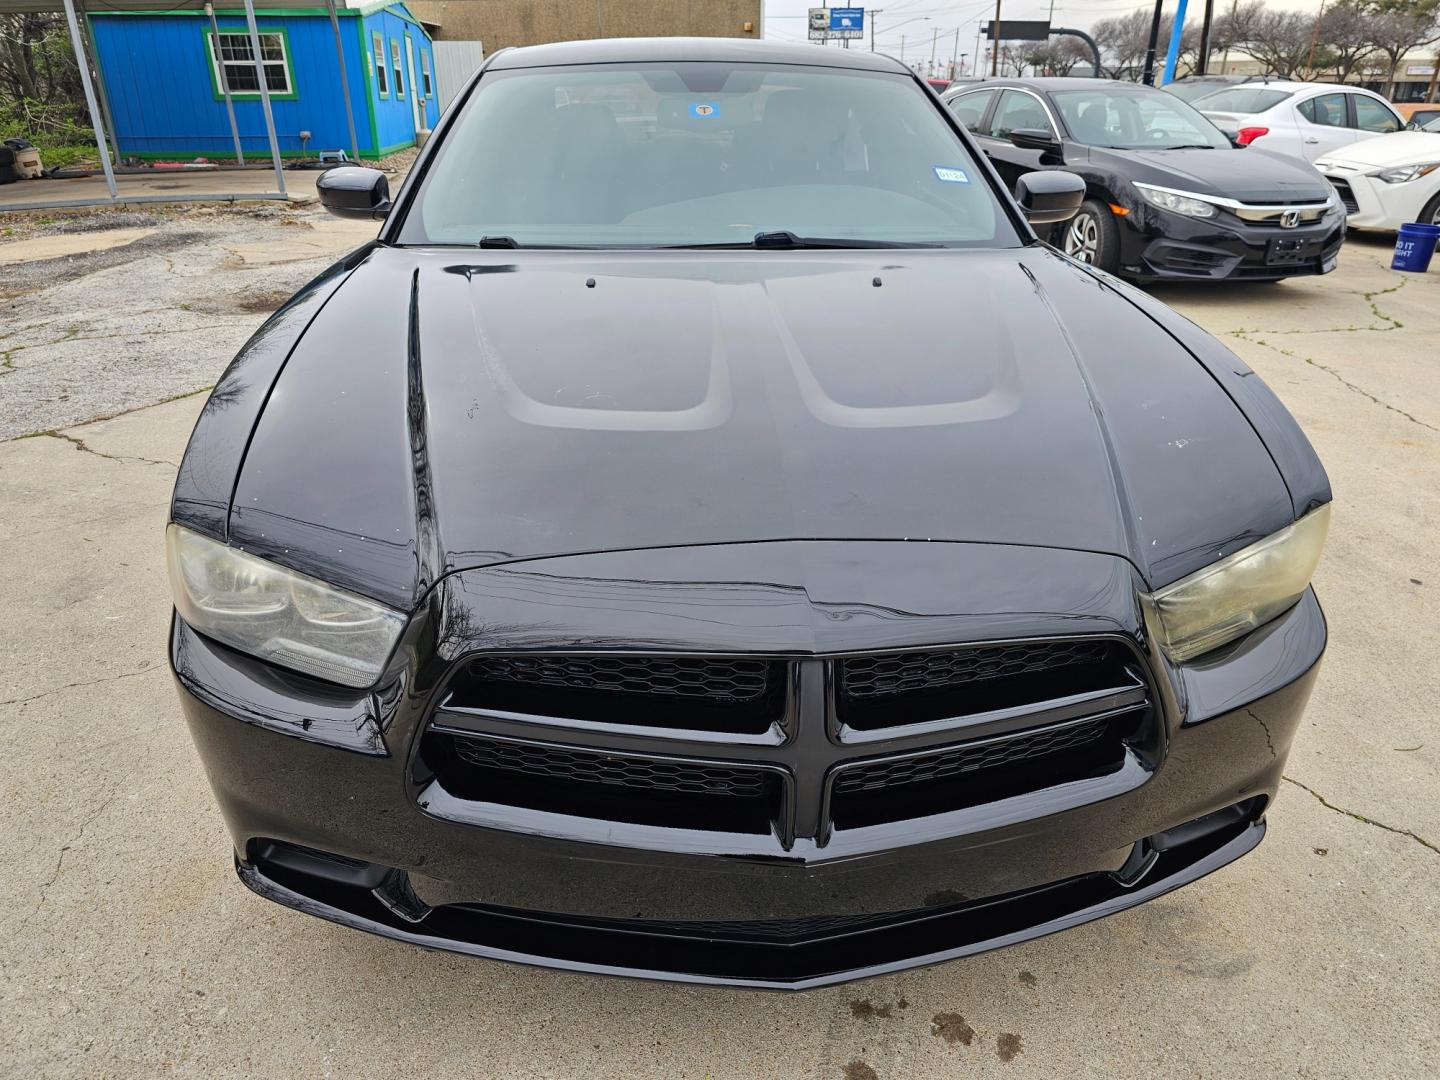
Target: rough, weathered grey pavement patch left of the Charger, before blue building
[99,333]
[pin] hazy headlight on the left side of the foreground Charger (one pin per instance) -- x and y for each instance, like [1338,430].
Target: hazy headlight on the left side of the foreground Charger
[277,614]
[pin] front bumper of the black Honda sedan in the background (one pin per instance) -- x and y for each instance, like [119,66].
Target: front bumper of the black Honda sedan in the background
[1157,246]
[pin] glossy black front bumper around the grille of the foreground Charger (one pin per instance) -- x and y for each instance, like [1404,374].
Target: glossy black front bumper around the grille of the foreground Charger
[326,819]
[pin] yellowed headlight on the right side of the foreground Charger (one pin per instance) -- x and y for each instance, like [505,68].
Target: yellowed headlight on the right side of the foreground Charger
[1230,598]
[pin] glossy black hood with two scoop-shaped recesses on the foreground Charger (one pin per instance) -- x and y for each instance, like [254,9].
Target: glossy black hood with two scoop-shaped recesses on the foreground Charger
[453,410]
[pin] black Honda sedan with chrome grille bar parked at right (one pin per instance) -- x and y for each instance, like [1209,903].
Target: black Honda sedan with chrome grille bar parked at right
[1167,195]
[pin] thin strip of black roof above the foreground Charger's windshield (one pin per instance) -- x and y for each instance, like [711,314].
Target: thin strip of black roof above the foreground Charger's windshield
[695,50]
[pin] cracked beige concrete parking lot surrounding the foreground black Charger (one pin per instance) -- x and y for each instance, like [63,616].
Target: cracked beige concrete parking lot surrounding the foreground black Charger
[129,948]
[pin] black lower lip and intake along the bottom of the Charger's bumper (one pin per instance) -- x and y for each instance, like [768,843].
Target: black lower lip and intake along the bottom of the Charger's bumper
[680,955]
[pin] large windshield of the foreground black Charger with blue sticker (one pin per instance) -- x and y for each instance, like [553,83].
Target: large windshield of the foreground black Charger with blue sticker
[701,155]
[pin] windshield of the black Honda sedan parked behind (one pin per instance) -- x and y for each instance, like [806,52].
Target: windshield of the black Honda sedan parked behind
[1127,120]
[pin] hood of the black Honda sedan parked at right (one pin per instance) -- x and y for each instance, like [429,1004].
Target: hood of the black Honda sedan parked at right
[1252,176]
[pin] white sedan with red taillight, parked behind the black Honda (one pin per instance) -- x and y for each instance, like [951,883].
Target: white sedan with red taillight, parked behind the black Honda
[1307,120]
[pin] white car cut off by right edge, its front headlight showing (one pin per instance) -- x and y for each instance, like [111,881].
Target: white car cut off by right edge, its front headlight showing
[1387,182]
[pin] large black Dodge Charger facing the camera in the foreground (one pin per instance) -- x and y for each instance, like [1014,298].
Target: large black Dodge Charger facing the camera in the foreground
[709,536]
